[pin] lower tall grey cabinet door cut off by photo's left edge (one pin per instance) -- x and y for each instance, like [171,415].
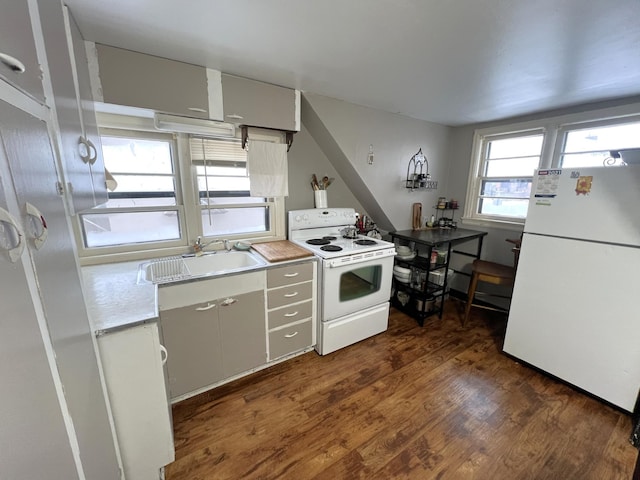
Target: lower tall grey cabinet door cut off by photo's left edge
[30,413]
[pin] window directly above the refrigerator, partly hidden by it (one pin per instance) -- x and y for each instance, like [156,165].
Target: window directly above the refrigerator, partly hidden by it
[591,146]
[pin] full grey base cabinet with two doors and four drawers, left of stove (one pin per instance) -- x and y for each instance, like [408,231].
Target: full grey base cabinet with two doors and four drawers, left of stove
[218,329]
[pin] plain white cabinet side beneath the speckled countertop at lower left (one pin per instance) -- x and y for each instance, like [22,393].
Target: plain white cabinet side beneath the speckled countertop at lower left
[132,361]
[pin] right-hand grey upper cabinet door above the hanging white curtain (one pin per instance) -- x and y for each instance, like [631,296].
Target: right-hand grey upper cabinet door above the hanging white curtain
[258,104]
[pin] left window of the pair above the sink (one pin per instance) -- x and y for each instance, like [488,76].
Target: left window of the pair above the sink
[145,207]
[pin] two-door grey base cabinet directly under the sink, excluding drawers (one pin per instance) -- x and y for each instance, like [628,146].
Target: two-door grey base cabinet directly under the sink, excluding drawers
[213,329]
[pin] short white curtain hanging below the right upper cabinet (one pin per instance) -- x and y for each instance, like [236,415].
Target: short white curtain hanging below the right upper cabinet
[267,166]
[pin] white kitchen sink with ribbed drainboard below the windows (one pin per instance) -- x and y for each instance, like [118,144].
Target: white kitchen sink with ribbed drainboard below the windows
[173,269]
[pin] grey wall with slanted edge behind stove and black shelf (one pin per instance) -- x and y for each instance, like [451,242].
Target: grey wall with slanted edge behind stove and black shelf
[344,131]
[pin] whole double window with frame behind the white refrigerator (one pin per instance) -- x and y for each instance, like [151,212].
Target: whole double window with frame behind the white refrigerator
[504,158]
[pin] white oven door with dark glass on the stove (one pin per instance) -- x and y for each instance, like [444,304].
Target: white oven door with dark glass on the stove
[355,283]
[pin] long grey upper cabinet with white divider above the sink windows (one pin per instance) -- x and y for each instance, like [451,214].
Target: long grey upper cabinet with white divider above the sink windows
[135,79]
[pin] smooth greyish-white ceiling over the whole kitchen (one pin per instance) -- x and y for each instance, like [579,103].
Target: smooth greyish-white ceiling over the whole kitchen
[452,62]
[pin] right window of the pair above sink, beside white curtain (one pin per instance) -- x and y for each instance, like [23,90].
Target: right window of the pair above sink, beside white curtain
[226,206]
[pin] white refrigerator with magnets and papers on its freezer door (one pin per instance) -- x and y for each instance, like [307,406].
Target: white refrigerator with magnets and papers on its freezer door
[575,311]
